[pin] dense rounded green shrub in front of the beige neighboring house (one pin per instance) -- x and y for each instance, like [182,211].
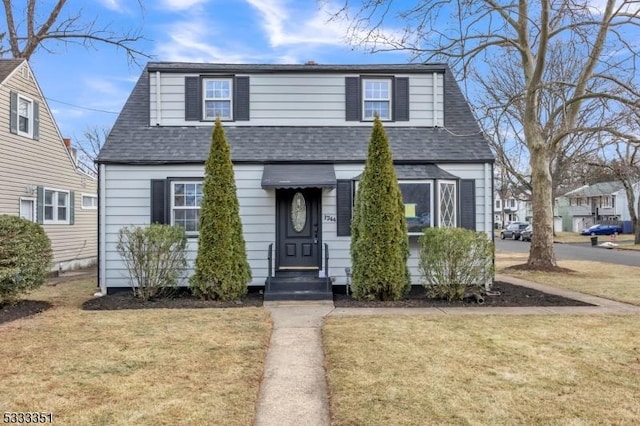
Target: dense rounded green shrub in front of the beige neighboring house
[25,257]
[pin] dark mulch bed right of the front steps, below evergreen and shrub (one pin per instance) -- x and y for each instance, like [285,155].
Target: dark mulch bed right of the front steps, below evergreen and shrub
[509,296]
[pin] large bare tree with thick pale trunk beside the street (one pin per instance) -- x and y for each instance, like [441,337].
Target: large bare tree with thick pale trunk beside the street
[470,35]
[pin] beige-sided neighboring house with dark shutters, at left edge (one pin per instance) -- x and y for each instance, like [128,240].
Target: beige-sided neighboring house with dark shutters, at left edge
[40,178]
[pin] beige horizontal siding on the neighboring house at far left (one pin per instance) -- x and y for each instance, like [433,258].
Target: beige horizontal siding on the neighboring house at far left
[28,163]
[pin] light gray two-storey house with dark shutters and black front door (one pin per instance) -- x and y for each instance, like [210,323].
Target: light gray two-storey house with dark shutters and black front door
[298,136]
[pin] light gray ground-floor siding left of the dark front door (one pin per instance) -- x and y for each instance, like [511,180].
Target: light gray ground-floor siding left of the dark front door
[127,202]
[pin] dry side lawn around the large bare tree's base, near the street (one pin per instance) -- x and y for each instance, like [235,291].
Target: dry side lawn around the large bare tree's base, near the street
[616,282]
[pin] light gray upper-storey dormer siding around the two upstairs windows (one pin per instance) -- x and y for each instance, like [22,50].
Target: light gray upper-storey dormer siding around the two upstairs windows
[296,100]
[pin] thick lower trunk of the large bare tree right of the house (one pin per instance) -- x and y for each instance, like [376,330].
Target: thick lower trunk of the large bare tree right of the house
[541,254]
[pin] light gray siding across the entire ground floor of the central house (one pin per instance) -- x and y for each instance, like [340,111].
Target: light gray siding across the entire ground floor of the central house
[126,199]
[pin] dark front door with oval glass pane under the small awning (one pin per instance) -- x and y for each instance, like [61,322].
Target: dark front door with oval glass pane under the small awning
[298,231]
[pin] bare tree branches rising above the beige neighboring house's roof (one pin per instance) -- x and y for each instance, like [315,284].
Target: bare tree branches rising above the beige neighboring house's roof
[35,25]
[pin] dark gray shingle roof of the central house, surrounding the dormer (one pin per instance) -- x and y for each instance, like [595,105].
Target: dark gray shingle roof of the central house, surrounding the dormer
[133,141]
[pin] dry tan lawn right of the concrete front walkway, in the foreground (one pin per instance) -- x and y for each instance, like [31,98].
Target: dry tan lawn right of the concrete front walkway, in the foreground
[483,370]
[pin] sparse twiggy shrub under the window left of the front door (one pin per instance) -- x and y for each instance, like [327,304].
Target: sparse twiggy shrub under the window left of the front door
[155,257]
